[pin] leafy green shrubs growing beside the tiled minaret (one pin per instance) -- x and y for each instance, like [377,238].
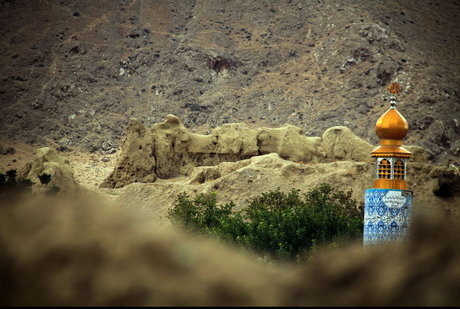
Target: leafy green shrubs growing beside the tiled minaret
[278,225]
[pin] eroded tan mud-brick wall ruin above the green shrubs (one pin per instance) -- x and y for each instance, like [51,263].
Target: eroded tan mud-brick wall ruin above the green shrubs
[168,149]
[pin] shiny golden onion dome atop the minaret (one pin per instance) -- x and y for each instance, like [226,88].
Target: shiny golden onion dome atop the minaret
[392,125]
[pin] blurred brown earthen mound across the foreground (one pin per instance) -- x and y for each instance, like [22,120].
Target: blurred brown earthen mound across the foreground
[87,253]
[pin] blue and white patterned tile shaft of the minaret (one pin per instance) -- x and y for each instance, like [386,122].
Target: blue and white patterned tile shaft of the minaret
[386,215]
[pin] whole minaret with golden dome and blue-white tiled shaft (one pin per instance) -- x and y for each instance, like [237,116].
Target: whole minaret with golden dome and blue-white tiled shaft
[388,205]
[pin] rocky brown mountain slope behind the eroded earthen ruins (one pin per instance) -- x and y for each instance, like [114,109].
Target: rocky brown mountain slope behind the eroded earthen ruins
[74,72]
